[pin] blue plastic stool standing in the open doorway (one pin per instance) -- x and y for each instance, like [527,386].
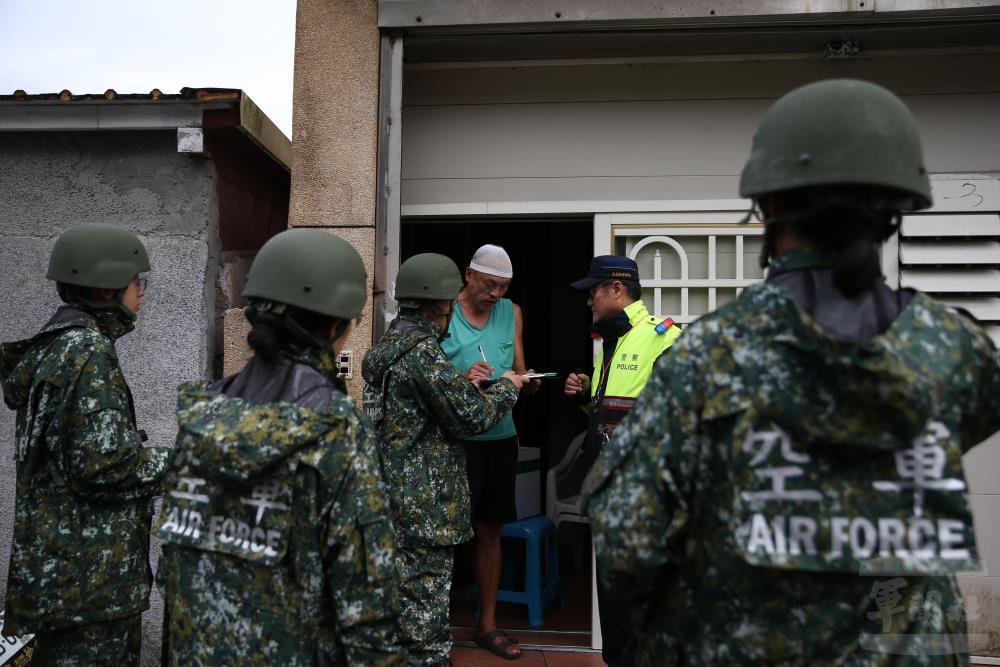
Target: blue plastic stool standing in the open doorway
[540,583]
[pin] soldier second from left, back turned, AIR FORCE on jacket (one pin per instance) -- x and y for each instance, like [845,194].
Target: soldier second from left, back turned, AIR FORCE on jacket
[278,547]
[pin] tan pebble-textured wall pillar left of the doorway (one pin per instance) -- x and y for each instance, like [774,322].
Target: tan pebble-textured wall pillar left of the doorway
[334,141]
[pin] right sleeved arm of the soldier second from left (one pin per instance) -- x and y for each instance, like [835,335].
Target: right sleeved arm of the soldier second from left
[360,565]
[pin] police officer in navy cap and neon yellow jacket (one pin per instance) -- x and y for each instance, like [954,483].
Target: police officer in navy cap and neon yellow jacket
[631,342]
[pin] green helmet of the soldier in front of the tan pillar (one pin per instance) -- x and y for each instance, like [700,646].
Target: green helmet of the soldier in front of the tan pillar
[312,270]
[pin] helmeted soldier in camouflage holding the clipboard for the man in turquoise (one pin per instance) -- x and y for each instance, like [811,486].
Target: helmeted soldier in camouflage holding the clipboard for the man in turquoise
[424,408]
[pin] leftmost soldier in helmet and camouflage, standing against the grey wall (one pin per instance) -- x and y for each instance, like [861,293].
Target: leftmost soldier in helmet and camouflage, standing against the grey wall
[79,564]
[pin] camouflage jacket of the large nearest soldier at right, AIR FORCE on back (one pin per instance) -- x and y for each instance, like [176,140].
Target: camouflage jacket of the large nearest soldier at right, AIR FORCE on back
[782,497]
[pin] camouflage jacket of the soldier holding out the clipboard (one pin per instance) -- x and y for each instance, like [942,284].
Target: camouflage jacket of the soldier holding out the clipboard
[425,408]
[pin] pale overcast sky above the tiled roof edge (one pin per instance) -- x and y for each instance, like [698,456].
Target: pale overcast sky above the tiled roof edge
[133,46]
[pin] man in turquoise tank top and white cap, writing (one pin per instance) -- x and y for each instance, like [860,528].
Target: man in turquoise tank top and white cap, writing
[485,340]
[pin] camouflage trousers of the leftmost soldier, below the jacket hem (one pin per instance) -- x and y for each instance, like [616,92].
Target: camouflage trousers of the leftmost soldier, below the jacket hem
[116,643]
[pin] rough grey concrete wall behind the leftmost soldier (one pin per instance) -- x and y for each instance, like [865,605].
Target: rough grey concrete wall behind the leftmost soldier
[50,181]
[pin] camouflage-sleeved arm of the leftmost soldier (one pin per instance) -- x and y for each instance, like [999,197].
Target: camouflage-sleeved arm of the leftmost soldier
[99,453]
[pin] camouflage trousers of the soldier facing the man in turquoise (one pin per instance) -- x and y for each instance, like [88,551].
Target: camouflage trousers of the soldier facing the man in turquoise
[425,588]
